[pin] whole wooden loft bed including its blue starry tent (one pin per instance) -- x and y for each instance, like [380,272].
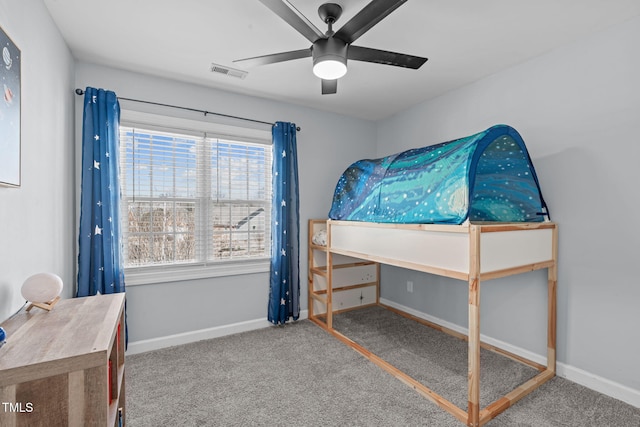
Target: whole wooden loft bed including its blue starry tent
[471,242]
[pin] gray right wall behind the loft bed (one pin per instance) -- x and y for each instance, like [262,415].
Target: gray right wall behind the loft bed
[578,110]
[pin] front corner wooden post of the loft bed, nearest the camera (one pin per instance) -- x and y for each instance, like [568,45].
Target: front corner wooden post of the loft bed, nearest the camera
[473,411]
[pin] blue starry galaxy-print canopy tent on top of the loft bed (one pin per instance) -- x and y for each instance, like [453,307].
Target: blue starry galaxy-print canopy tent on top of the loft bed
[488,176]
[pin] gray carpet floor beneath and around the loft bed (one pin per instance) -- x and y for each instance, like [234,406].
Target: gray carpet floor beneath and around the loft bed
[299,375]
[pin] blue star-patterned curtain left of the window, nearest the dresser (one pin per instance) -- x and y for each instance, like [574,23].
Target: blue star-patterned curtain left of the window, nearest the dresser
[100,259]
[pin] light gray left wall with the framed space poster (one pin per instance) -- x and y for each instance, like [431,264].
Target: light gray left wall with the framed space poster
[36,220]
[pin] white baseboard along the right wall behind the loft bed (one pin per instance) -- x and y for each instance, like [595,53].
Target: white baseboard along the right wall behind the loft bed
[579,376]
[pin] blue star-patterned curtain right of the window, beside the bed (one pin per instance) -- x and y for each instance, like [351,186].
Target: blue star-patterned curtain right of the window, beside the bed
[284,287]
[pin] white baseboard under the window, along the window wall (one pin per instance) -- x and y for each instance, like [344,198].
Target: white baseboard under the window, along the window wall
[142,346]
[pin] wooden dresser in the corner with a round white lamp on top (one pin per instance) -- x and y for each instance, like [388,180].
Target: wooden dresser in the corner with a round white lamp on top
[65,367]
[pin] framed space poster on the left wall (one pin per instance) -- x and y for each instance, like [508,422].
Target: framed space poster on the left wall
[9,112]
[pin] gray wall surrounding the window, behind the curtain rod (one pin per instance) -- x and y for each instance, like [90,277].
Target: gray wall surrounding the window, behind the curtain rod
[327,144]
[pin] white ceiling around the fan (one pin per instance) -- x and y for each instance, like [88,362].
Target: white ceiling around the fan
[464,40]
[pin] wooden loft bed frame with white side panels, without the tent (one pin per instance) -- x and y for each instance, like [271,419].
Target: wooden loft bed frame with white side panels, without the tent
[472,252]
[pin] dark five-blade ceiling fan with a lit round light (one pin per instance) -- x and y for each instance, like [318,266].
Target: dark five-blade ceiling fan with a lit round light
[331,50]
